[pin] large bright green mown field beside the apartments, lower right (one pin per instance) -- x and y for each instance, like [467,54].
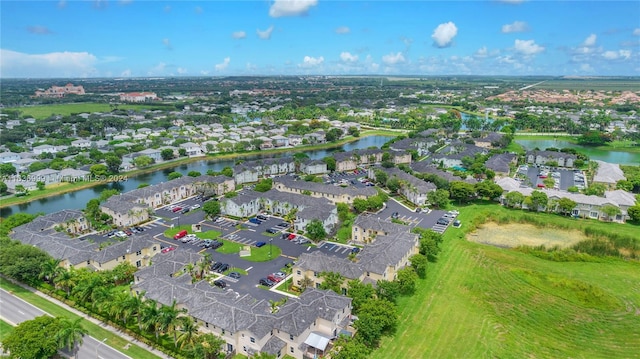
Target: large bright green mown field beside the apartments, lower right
[482,301]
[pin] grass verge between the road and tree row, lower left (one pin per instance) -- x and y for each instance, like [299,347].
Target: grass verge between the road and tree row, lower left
[94,330]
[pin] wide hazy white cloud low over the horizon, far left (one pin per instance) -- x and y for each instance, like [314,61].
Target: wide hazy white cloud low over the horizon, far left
[53,64]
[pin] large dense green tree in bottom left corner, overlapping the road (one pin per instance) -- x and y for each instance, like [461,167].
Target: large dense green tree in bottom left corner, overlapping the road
[33,339]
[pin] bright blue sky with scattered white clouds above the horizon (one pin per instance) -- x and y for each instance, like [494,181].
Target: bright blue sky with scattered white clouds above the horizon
[143,38]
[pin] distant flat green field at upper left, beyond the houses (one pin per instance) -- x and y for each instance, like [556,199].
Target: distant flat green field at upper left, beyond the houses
[44,111]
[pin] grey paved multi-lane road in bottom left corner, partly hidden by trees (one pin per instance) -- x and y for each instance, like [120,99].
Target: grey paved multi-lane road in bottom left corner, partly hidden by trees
[15,311]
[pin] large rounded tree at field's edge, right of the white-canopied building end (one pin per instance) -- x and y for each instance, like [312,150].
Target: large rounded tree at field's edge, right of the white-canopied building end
[376,317]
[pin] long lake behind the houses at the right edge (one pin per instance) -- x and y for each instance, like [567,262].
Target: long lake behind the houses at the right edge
[612,156]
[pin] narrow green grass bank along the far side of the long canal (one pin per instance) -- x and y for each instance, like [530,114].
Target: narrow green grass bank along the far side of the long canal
[61,188]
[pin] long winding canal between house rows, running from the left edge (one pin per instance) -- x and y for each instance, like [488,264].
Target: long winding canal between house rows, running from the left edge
[78,199]
